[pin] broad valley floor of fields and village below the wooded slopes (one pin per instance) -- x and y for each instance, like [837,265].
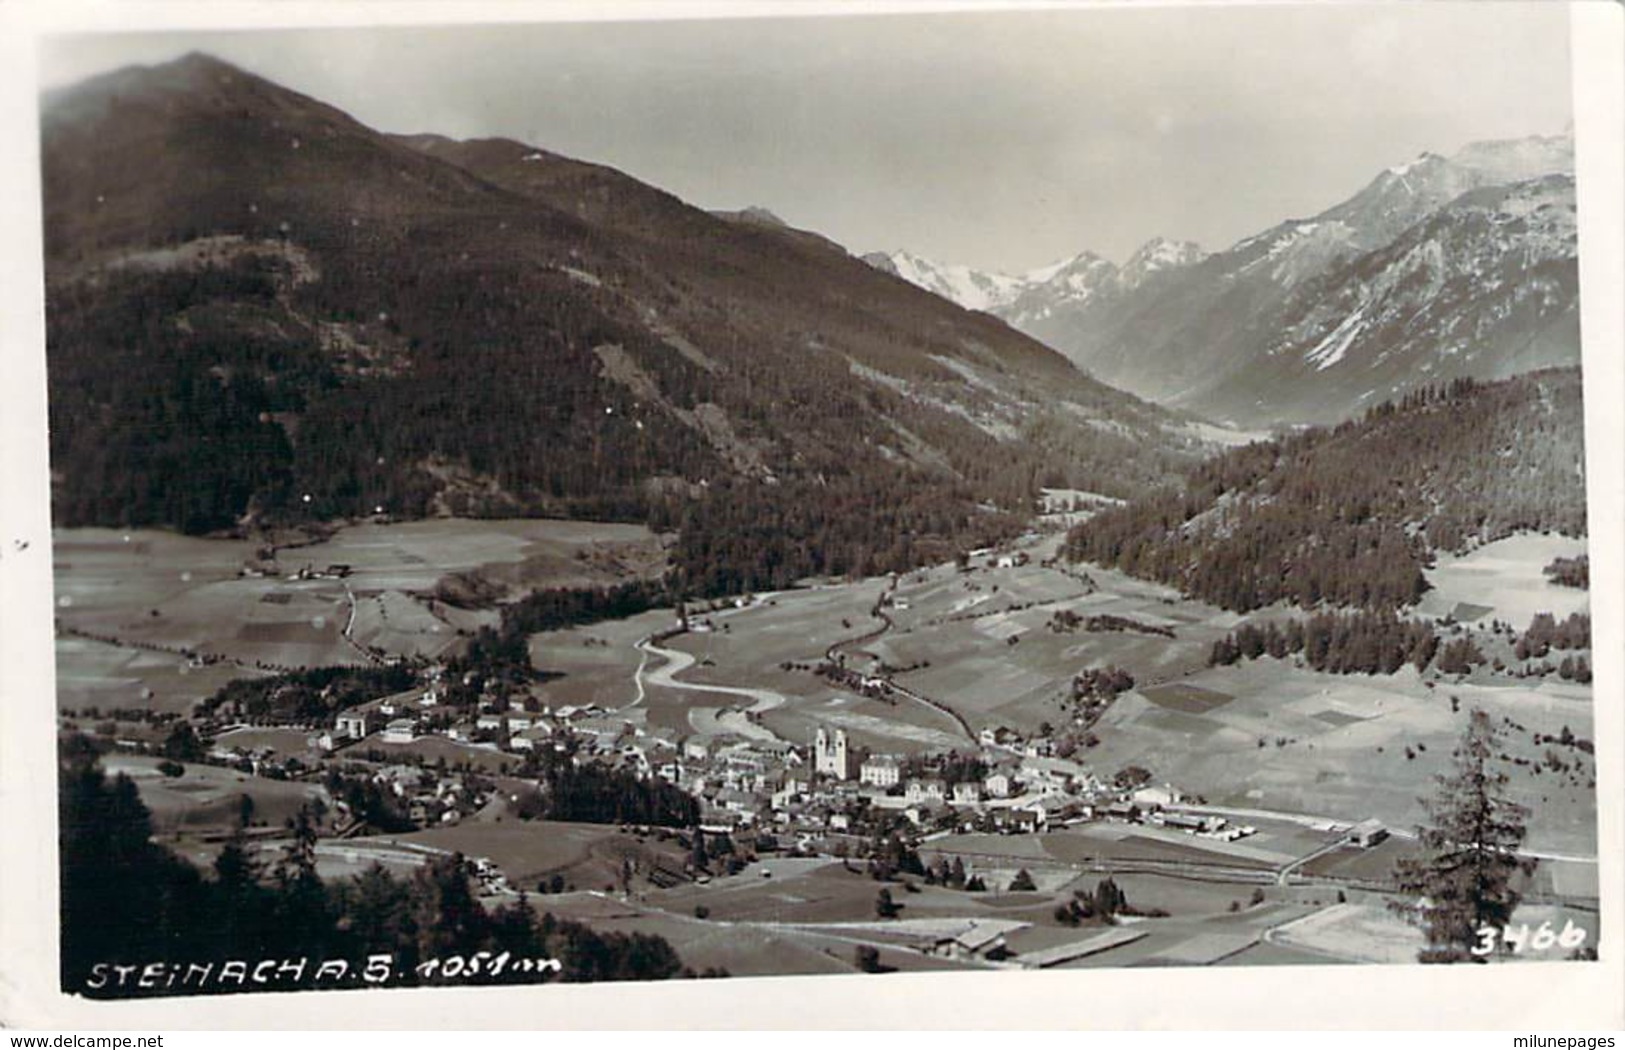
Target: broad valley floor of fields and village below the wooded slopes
[964,765]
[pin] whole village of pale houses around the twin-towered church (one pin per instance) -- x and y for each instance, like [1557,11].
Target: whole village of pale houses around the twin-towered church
[444,765]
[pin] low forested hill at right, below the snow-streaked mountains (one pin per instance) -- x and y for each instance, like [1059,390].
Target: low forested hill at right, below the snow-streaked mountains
[1353,514]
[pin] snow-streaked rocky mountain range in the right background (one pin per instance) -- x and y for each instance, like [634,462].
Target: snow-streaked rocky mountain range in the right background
[1439,269]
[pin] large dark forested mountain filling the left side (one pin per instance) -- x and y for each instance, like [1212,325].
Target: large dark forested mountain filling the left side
[261,311]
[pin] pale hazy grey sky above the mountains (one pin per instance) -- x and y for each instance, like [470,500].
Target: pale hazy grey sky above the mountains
[1002,141]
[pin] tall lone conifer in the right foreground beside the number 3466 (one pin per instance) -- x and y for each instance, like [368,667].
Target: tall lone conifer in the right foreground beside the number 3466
[1463,882]
